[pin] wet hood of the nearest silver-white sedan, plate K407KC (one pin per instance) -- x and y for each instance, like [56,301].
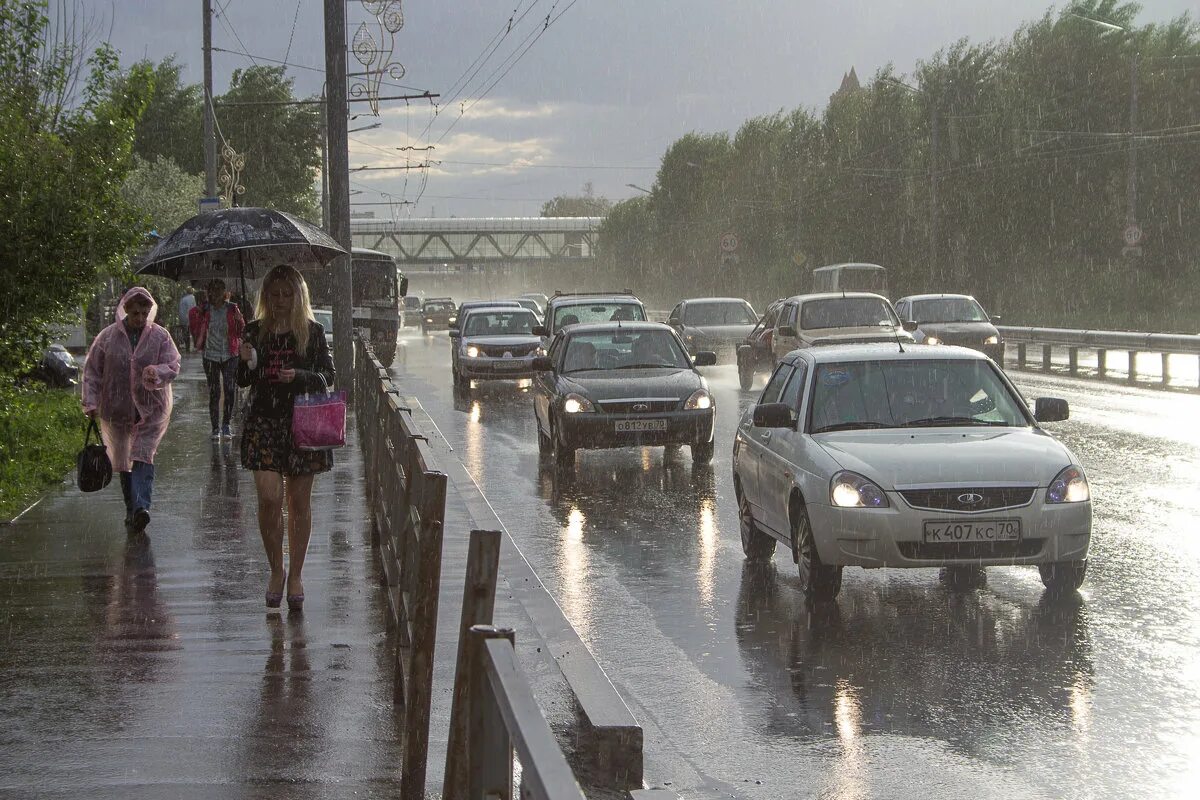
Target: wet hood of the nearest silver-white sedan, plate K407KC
[940,456]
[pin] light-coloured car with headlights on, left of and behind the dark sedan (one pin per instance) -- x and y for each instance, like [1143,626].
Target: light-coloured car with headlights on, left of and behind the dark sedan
[494,342]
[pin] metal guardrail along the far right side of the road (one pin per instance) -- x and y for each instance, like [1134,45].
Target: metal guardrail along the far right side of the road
[1132,342]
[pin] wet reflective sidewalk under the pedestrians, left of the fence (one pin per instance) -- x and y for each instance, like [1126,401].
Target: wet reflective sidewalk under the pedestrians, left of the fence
[148,667]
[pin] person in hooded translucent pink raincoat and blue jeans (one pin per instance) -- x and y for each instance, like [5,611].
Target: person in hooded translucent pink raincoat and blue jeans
[127,386]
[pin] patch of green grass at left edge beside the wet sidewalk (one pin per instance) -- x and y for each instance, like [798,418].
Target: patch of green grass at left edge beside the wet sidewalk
[41,431]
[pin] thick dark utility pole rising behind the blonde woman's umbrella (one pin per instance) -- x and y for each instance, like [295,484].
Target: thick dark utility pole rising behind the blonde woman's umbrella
[339,188]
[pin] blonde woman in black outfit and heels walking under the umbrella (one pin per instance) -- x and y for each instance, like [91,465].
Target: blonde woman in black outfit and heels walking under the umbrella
[285,354]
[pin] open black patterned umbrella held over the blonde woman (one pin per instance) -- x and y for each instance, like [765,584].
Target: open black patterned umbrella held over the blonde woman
[239,243]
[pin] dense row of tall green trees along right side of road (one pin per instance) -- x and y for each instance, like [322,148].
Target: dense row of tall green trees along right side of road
[1028,143]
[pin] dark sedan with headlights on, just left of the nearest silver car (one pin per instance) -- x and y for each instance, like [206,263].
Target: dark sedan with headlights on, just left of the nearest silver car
[622,386]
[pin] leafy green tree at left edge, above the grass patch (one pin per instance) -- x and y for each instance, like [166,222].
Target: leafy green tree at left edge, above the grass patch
[64,221]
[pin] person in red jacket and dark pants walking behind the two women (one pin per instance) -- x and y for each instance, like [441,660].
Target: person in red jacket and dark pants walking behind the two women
[220,327]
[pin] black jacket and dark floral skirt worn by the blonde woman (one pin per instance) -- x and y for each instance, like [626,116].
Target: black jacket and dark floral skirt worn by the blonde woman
[267,430]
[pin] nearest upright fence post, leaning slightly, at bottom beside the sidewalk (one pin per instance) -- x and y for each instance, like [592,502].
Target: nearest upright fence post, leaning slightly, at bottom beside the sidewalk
[478,605]
